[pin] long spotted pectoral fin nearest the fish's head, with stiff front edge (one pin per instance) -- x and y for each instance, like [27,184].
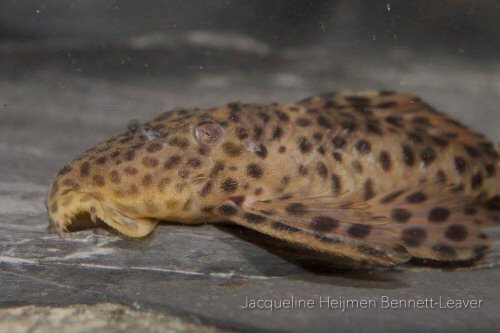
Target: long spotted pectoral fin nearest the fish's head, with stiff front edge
[348,232]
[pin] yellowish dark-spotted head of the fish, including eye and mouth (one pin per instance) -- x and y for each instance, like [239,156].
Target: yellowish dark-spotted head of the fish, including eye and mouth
[166,169]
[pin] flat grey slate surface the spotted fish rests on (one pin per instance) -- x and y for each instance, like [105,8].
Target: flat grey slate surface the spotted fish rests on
[55,103]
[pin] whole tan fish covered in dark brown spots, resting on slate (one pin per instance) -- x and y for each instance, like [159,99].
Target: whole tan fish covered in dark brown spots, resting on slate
[376,176]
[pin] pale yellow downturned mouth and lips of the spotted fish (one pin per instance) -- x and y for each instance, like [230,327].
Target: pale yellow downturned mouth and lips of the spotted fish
[73,210]
